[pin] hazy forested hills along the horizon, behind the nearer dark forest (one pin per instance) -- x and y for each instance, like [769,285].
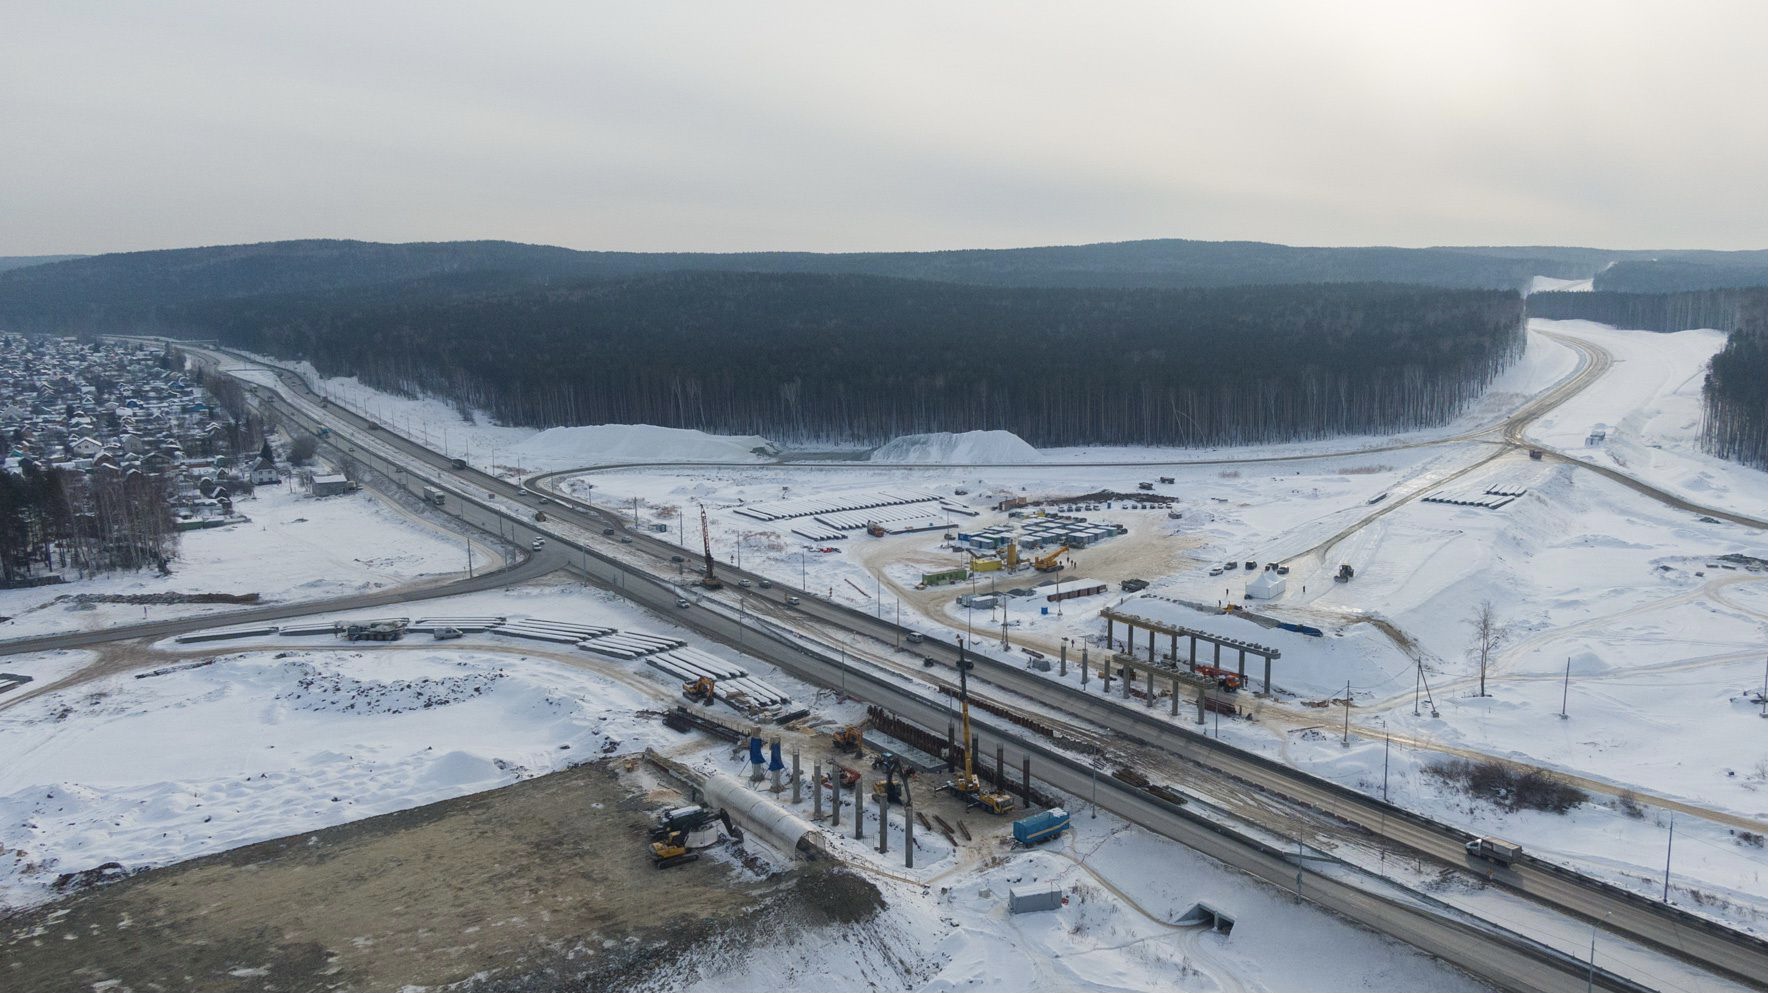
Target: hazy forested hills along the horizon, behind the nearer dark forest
[139,291]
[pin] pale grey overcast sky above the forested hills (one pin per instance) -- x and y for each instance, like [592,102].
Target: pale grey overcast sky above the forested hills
[883,126]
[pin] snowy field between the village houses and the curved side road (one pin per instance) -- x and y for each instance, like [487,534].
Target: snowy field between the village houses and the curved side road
[293,550]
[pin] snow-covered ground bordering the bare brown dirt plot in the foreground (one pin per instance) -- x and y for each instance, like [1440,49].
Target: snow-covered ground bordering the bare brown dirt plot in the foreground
[254,741]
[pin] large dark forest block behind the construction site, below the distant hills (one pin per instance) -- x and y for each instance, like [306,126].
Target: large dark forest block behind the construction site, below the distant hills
[864,360]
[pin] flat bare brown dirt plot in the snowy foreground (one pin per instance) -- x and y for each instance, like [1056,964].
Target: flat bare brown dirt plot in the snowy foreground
[538,886]
